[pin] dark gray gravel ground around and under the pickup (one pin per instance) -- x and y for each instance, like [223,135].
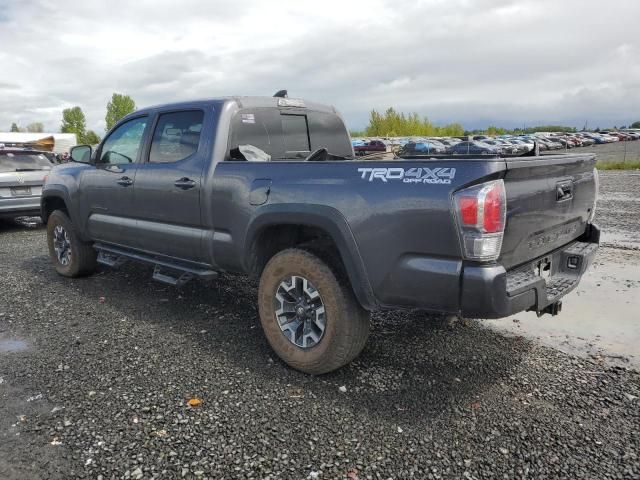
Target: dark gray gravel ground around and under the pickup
[96,373]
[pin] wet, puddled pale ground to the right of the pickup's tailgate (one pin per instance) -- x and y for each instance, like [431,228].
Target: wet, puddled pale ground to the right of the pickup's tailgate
[601,319]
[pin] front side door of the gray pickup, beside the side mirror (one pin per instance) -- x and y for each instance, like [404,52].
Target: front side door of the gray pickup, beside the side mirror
[106,191]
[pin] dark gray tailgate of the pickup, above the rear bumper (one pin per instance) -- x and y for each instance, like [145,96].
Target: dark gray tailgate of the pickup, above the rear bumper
[549,199]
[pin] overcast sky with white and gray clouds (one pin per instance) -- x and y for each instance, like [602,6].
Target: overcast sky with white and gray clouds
[476,62]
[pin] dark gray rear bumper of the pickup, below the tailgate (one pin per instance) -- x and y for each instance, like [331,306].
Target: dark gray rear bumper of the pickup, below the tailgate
[493,292]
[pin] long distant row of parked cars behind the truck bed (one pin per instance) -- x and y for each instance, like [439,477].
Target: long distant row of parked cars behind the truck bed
[489,145]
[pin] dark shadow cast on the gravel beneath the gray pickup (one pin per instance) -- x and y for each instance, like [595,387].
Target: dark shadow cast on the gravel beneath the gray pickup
[413,366]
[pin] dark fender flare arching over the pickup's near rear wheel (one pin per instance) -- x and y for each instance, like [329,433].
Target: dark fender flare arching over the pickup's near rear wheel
[325,218]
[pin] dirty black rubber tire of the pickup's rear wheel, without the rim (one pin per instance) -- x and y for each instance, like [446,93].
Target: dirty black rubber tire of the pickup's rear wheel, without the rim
[346,323]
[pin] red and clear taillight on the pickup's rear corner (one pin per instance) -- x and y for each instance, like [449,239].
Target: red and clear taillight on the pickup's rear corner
[481,216]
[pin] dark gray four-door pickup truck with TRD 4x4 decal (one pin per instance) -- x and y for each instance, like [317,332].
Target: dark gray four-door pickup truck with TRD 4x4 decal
[270,187]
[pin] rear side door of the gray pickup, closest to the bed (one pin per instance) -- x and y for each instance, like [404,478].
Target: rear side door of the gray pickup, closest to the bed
[167,187]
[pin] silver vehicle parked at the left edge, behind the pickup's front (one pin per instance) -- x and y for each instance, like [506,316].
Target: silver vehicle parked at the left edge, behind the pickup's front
[22,173]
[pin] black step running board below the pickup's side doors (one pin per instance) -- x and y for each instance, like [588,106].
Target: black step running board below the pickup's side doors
[165,271]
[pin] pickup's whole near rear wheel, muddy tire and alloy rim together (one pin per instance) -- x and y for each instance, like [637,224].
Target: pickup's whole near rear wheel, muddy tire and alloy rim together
[309,315]
